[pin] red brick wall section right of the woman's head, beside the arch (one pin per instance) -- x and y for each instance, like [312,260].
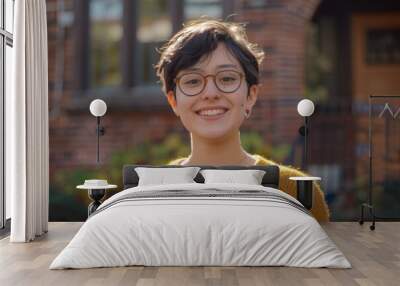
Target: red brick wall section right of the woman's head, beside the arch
[279,28]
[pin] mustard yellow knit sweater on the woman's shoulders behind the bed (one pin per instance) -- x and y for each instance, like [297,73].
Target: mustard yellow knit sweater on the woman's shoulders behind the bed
[319,210]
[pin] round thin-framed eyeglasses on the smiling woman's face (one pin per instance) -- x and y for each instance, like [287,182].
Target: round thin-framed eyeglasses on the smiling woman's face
[194,83]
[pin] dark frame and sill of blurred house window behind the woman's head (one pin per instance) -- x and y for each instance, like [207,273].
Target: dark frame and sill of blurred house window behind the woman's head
[131,92]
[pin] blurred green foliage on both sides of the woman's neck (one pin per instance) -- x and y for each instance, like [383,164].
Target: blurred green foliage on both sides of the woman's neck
[68,203]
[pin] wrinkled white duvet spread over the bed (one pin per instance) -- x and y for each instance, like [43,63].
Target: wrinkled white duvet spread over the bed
[181,231]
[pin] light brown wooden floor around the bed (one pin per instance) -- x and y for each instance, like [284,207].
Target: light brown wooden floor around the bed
[374,255]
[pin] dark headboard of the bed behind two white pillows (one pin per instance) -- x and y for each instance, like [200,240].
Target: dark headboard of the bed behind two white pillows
[270,179]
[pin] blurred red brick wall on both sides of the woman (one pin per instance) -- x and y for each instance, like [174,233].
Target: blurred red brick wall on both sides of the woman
[278,27]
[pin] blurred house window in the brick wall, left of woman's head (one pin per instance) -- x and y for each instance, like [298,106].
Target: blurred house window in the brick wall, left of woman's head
[118,39]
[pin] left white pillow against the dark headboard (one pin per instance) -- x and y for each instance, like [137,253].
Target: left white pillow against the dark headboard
[161,176]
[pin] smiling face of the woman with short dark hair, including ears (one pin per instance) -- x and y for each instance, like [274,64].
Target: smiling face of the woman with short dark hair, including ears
[213,114]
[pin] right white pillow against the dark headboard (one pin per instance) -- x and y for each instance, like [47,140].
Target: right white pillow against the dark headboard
[250,177]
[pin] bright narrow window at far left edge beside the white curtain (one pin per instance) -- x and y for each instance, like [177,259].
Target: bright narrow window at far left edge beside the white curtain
[6,43]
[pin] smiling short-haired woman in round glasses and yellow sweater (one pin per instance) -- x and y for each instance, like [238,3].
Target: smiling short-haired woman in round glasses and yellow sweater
[210,76]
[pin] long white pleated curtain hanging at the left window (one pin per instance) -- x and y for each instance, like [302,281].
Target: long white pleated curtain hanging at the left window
[27,139]
